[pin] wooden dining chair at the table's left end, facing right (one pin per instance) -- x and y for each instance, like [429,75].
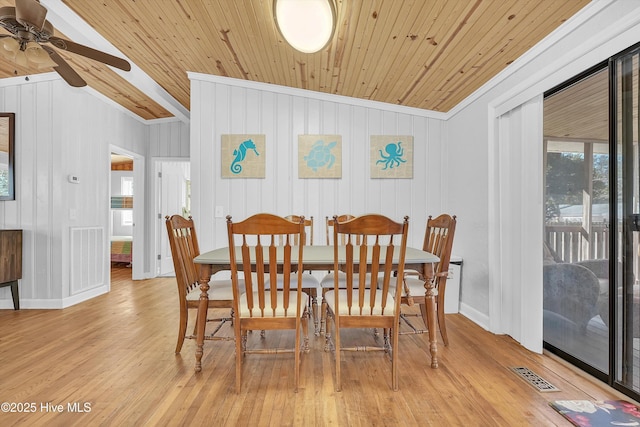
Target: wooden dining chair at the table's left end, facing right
[184,248]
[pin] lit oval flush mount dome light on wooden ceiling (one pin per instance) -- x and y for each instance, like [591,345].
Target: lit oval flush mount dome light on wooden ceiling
[307,25]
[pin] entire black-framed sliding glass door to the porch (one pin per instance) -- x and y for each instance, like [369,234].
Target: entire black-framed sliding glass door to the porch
[592,222]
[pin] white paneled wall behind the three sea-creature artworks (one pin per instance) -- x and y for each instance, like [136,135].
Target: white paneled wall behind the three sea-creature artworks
[221,107]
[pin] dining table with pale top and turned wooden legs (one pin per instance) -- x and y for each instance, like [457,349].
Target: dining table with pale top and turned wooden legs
[316,257]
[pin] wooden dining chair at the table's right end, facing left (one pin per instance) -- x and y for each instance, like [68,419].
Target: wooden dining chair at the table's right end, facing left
[438,240]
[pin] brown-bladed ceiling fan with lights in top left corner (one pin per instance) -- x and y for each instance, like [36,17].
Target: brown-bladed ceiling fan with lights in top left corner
[30,32]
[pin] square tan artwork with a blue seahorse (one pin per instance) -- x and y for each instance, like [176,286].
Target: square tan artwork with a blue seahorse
[243,156]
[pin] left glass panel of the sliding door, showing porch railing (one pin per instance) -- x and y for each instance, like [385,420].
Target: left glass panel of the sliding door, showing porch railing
[577,222]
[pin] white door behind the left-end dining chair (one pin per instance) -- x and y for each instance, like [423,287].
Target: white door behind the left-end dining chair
[173,190]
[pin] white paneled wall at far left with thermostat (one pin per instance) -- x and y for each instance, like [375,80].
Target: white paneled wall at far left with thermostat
[60,131]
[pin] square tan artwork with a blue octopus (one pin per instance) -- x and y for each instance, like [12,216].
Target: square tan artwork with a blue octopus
[391,156]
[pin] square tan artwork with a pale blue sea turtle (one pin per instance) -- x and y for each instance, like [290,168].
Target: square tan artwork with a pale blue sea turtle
[319,156]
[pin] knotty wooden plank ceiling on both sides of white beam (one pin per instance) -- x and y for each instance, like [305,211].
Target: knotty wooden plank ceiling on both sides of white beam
[428,54]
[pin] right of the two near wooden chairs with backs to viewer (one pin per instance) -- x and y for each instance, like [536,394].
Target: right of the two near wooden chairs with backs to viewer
[362,304]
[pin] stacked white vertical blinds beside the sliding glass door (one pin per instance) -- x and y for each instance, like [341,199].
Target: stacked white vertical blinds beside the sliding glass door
[519,229]
